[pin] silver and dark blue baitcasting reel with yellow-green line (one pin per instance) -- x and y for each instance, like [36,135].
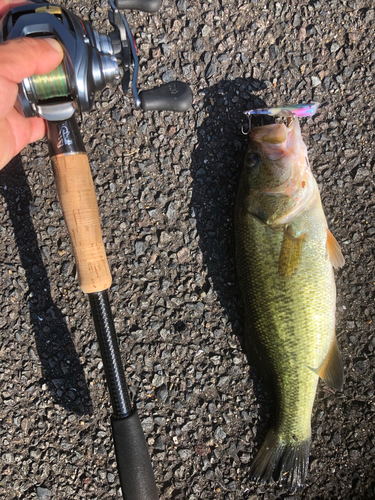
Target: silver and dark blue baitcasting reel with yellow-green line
[92,61]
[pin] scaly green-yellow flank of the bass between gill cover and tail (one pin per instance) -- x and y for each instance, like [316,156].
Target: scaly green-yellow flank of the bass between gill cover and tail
[283,313]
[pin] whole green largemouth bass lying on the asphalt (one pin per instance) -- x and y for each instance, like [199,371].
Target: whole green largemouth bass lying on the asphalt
[285,256]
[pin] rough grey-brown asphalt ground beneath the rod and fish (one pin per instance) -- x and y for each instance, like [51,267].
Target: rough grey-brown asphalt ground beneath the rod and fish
[166,185]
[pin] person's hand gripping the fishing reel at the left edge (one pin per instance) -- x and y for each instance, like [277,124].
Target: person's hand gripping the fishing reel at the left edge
[19,59]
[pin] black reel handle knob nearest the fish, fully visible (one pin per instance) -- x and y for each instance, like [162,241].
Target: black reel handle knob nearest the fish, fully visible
[173,96]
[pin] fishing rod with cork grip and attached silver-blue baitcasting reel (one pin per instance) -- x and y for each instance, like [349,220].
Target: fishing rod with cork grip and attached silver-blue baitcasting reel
[92,61]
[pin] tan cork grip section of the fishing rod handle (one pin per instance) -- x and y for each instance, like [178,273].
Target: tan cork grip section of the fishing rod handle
[76,192]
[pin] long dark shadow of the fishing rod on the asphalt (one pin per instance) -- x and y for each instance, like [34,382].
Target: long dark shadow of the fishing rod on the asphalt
[62,370]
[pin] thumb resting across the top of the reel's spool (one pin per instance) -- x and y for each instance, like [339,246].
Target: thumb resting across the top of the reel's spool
[24,57]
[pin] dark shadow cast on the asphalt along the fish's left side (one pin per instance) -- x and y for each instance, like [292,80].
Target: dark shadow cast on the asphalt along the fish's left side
[216,166]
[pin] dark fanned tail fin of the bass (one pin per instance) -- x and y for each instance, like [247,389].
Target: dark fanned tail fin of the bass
[282,461]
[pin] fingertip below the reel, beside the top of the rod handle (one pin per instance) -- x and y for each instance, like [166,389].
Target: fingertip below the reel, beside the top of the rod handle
[16,132]
